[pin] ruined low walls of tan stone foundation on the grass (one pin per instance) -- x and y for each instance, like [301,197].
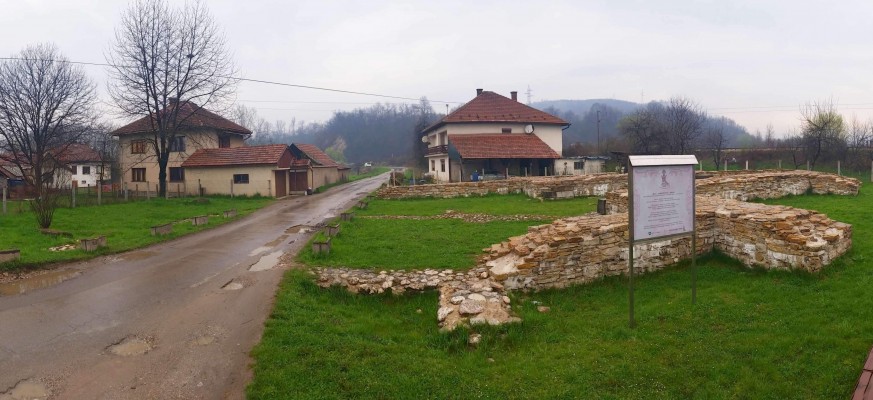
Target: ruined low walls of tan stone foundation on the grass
[582,249]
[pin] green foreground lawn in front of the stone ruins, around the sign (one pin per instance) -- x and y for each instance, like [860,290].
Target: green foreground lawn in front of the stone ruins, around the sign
[753,335]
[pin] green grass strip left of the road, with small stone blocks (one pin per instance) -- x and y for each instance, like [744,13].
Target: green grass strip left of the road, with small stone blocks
[125,225]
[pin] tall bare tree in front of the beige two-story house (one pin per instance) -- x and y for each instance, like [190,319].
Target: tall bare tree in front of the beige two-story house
[162,58]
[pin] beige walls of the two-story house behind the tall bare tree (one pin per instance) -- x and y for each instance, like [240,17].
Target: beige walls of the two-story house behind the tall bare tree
[194,140]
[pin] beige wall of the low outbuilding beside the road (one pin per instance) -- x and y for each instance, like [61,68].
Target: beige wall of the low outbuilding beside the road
[217,180]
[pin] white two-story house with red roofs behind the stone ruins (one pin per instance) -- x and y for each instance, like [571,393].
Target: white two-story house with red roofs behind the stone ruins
[493,134]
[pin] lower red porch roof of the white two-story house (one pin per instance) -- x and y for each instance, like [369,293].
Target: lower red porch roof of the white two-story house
[501,146]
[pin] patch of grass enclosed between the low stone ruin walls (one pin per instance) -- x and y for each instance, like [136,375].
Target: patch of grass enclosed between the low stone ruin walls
[405,244]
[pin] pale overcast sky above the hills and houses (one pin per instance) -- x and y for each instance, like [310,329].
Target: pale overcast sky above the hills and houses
[754,61]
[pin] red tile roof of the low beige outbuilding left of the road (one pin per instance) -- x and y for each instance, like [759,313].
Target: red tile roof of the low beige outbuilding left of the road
[246,155]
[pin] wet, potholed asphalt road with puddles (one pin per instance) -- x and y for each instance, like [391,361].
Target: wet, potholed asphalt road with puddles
[169,297]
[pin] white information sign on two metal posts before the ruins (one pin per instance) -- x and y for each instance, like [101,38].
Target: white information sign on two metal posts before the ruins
[661,206]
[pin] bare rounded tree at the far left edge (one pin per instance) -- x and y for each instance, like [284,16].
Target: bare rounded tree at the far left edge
[46,104]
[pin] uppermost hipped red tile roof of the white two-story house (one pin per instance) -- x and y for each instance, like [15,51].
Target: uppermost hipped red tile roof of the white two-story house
[492,107]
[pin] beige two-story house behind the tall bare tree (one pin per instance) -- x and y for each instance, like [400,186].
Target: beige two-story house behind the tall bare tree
[200,129]
